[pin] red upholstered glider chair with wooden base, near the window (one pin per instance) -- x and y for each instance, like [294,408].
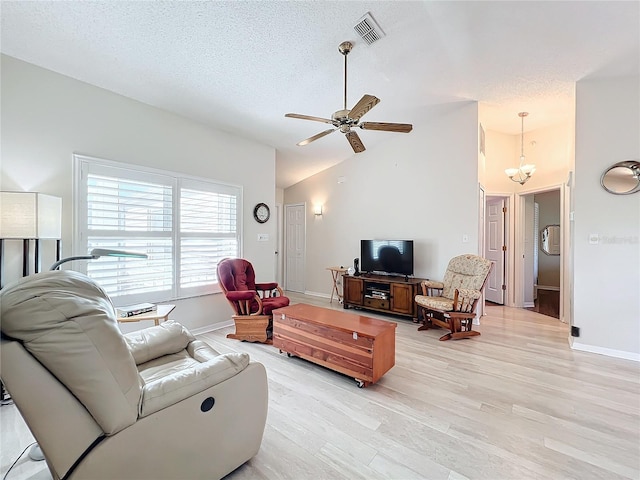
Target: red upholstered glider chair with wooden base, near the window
[252,303]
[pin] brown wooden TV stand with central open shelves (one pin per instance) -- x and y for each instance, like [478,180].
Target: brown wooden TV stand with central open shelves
[382,293]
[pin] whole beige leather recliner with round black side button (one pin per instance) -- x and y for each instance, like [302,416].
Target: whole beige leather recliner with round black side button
[156,403]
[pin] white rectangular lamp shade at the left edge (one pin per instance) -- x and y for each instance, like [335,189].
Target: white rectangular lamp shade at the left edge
[30,215]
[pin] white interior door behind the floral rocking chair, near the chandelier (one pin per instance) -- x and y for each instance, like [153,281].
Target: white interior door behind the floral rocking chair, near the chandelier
[494,251]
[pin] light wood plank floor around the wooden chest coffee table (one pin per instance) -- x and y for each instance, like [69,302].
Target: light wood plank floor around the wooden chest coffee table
[514,403]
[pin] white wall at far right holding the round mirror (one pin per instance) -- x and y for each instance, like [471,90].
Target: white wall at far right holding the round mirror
[607,274]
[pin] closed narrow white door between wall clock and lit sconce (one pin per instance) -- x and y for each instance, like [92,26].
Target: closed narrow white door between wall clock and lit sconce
[294,247]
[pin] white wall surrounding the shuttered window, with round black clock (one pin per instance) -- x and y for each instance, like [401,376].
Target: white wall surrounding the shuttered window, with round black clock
[46,117]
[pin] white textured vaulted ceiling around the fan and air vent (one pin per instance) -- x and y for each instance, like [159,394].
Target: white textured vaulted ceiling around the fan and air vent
[240,66]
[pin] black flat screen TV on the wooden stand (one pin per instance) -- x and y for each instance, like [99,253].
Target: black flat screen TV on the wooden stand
[387,256]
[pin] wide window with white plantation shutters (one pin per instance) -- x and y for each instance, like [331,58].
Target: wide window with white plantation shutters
[184,225]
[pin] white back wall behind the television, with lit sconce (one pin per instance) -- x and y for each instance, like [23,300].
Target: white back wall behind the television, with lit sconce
[421,186]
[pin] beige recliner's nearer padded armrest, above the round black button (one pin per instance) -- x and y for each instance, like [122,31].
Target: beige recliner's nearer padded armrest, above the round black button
[171,389]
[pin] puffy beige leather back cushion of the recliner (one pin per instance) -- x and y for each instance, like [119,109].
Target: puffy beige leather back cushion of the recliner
[66,321]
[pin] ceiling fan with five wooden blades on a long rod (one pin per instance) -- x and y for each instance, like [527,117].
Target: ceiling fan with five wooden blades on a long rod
[346,120]
